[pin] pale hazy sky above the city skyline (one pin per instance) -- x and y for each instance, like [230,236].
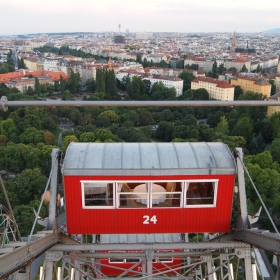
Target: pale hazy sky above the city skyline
[35,16]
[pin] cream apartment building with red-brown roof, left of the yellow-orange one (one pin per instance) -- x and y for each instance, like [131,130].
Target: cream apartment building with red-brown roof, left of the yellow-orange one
[219,90]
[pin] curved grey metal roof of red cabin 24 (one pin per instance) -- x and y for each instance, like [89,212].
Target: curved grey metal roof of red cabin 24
[148,159]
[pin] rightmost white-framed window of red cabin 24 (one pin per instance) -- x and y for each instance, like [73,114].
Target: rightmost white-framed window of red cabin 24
[201,193]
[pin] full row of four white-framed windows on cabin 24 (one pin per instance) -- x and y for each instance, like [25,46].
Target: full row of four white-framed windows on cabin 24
[157,194]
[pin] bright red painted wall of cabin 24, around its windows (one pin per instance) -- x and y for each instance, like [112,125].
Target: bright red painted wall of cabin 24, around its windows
[171,220]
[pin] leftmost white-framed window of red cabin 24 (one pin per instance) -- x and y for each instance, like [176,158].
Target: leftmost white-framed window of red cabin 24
[97,194]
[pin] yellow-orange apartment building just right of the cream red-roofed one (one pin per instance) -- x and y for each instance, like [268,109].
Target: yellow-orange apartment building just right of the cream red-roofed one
[252,82]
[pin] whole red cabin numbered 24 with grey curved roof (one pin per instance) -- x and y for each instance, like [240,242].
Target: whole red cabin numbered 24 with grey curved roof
[115,188]
